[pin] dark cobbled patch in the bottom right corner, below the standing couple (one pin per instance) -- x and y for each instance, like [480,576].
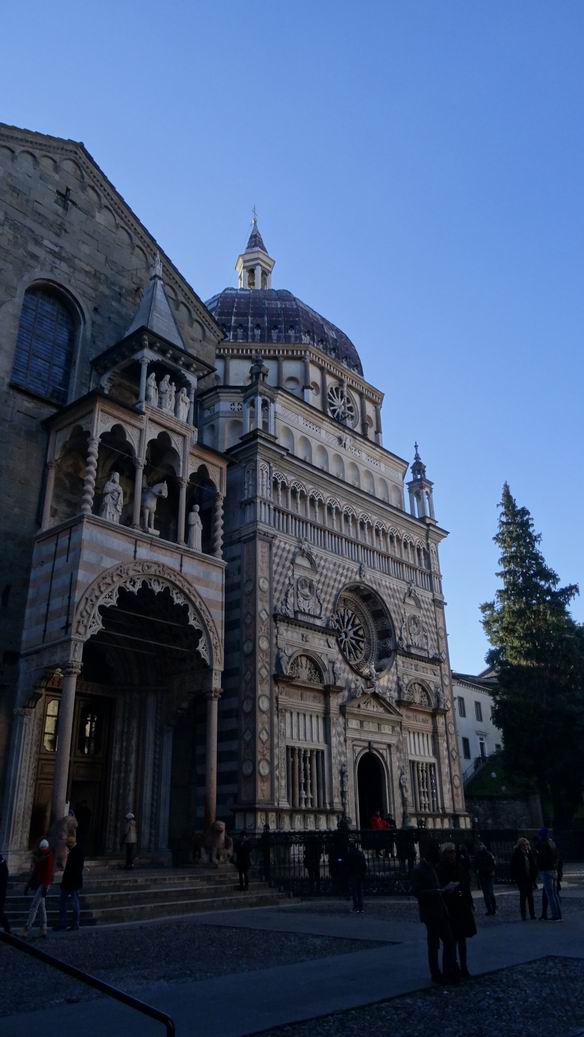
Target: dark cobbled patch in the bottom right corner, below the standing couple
[543,999]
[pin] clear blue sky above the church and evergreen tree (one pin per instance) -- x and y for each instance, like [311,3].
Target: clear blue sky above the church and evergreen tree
[419,170]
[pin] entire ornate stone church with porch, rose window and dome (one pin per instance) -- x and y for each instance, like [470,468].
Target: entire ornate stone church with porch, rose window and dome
[215,598]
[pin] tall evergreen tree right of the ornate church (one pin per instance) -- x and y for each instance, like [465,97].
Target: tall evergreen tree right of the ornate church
[539,656]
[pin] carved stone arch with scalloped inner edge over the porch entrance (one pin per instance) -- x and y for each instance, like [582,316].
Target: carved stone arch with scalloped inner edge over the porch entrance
[132,576]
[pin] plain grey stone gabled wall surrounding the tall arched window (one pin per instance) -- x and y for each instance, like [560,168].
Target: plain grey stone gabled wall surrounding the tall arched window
[62,222]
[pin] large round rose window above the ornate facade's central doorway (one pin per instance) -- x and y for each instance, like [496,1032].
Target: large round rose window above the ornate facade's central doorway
[365,631]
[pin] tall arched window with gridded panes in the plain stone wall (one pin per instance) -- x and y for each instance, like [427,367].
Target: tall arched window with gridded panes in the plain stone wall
[45,344]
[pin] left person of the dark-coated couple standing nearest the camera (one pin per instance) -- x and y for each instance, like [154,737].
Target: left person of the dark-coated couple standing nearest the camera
[433,912]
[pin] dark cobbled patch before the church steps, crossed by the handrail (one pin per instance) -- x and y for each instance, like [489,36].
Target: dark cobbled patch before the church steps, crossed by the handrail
[135,957]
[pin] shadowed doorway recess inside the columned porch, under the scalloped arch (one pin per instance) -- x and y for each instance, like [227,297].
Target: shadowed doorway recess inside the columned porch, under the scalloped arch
[140,725]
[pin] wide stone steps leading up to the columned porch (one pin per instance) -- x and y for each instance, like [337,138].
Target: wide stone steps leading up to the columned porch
[110,894]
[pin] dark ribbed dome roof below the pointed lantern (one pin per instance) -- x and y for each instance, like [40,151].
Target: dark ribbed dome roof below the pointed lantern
[276,316]
